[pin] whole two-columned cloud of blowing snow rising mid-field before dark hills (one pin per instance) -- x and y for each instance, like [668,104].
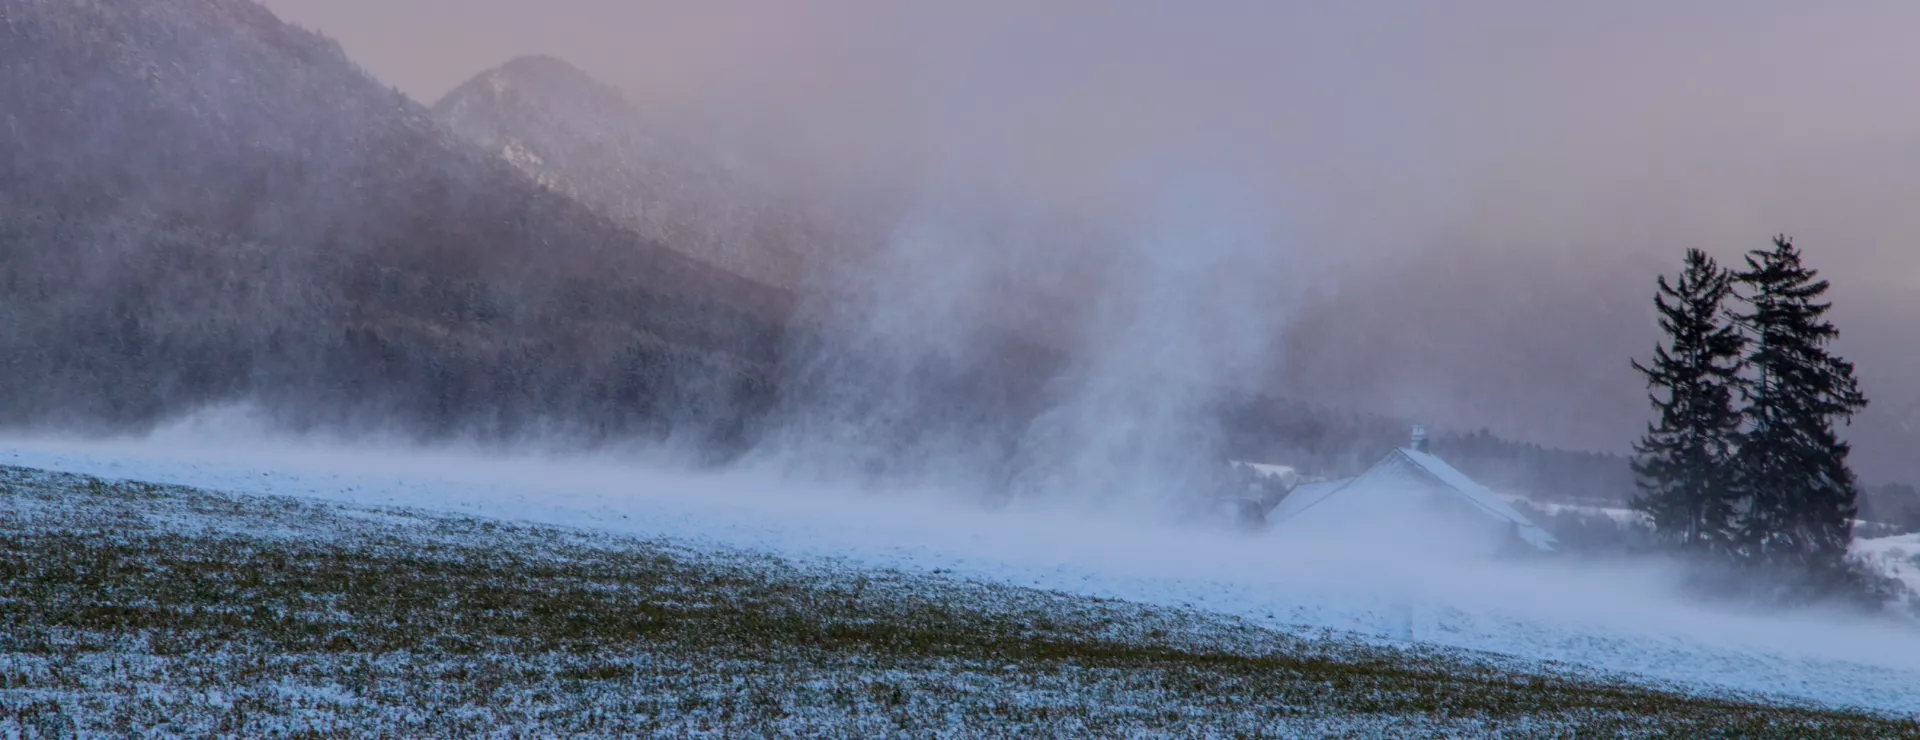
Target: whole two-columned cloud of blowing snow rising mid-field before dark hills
[1182,314]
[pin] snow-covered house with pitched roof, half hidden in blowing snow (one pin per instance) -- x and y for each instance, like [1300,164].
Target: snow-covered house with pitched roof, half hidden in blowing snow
[1414,499]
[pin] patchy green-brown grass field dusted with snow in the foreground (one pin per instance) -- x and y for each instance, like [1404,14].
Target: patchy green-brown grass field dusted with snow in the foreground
[132,608]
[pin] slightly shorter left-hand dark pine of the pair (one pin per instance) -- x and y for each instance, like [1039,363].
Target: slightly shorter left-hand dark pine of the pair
[1685,458]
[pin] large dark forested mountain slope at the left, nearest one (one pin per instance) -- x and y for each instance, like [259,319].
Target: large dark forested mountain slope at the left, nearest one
[201,203]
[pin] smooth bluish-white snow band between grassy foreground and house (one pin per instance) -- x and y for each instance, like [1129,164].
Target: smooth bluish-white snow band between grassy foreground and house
[1610,622]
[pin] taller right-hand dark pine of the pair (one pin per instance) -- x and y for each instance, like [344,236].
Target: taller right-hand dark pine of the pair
[1792,464]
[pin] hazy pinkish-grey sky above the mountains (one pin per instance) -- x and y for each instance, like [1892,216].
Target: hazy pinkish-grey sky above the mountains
[1598,137]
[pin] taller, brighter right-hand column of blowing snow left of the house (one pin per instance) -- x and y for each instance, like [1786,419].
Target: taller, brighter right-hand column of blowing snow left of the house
[1180,326]
